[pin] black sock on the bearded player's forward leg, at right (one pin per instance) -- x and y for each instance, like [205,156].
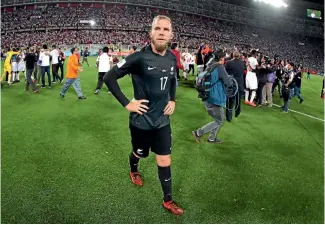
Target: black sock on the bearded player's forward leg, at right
[165,178]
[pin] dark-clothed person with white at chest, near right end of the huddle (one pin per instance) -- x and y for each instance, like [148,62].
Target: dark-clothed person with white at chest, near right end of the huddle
[287,86]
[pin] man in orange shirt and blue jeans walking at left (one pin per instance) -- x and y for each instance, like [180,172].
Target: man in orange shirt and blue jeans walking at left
[72,76]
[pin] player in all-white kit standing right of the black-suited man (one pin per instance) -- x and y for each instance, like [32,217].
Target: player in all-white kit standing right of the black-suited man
[251,79]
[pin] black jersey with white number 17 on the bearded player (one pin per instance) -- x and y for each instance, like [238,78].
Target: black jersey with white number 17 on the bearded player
[153,78]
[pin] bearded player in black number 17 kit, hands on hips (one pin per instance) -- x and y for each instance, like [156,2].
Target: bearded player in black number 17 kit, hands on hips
[153,72]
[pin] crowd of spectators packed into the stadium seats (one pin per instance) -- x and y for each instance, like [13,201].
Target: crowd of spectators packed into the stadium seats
[130,26]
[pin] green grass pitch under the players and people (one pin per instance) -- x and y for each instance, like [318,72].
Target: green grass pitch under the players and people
[66,161]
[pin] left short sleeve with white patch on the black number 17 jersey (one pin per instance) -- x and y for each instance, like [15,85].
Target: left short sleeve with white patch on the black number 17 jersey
[127,65]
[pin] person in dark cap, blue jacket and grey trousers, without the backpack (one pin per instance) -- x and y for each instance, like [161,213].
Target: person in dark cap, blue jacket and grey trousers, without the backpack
[216,102]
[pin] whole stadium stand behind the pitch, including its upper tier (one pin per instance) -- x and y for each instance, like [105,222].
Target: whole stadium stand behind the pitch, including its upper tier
[26,22]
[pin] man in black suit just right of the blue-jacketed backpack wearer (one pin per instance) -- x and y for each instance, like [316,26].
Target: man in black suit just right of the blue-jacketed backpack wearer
[235,67]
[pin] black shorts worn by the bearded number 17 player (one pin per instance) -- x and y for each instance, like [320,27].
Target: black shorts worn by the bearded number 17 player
[158,140]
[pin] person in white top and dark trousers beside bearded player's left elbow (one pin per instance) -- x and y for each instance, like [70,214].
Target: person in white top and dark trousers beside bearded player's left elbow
[104,65]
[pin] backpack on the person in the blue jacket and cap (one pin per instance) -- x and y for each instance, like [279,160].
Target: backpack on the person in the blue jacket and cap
[203,82]
